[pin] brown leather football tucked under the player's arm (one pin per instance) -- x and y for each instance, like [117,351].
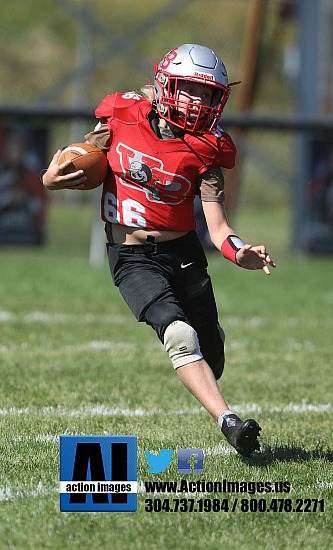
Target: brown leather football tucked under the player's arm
[87,157]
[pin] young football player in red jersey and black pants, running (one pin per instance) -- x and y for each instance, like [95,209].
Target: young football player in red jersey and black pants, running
[164,148]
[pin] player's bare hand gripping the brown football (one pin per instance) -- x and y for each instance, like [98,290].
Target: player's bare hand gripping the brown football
[54,178]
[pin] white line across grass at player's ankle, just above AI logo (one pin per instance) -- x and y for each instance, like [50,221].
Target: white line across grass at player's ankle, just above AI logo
[102,410]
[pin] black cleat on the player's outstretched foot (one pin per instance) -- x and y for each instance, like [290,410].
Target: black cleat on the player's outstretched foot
[241,435]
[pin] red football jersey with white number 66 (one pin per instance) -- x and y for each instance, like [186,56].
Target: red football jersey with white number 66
[153,181]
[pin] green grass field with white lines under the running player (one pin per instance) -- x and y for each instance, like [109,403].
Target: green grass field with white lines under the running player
[72,360]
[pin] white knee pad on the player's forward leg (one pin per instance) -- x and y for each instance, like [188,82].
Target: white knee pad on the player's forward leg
[182,344]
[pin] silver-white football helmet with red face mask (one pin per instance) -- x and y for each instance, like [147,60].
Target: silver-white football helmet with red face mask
[190,62]
